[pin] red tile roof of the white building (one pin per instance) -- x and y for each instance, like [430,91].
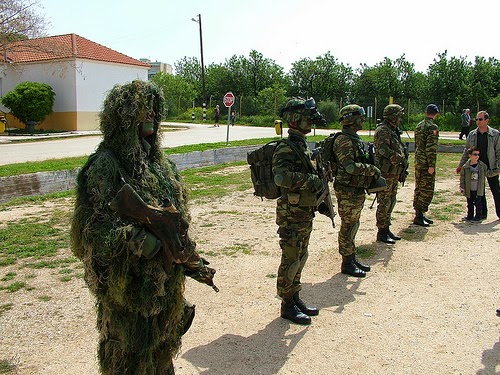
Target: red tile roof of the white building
[64,47]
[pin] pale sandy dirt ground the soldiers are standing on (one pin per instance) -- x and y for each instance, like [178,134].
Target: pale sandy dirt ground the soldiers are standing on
[427,306]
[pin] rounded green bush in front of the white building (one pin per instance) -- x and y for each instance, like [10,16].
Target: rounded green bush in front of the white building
[30,102]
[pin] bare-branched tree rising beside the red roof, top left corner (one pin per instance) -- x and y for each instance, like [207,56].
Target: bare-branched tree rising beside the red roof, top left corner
[18,21]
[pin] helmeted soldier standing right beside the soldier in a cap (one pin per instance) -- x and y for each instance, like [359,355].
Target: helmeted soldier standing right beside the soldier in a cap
[392,160]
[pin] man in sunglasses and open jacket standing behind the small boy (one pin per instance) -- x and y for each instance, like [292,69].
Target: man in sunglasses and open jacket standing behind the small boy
[486,140]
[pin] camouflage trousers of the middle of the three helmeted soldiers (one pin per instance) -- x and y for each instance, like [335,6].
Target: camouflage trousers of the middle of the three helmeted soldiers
[350,204]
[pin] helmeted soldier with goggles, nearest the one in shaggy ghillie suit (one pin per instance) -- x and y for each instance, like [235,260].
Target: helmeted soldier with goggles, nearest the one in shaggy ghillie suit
[299,184]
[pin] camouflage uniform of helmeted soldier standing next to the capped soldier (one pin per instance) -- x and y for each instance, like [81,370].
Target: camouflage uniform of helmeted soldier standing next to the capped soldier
[391,160]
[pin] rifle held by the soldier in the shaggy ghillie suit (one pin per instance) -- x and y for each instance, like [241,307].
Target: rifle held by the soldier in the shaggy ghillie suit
[167,224]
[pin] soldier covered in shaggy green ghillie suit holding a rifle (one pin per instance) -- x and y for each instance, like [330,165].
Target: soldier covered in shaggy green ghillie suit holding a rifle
[137,276]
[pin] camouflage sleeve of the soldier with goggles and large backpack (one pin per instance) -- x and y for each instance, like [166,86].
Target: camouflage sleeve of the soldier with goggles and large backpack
[284,169]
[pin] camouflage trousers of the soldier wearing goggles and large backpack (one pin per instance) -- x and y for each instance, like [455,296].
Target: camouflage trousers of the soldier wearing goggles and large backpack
[295,227]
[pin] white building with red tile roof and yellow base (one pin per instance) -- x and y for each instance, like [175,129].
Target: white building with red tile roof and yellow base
[79,71]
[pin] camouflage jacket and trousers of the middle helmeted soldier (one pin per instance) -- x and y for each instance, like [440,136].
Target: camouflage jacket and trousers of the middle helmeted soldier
[353,176]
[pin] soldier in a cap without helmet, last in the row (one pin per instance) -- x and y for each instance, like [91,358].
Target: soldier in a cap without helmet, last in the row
[426,142]
